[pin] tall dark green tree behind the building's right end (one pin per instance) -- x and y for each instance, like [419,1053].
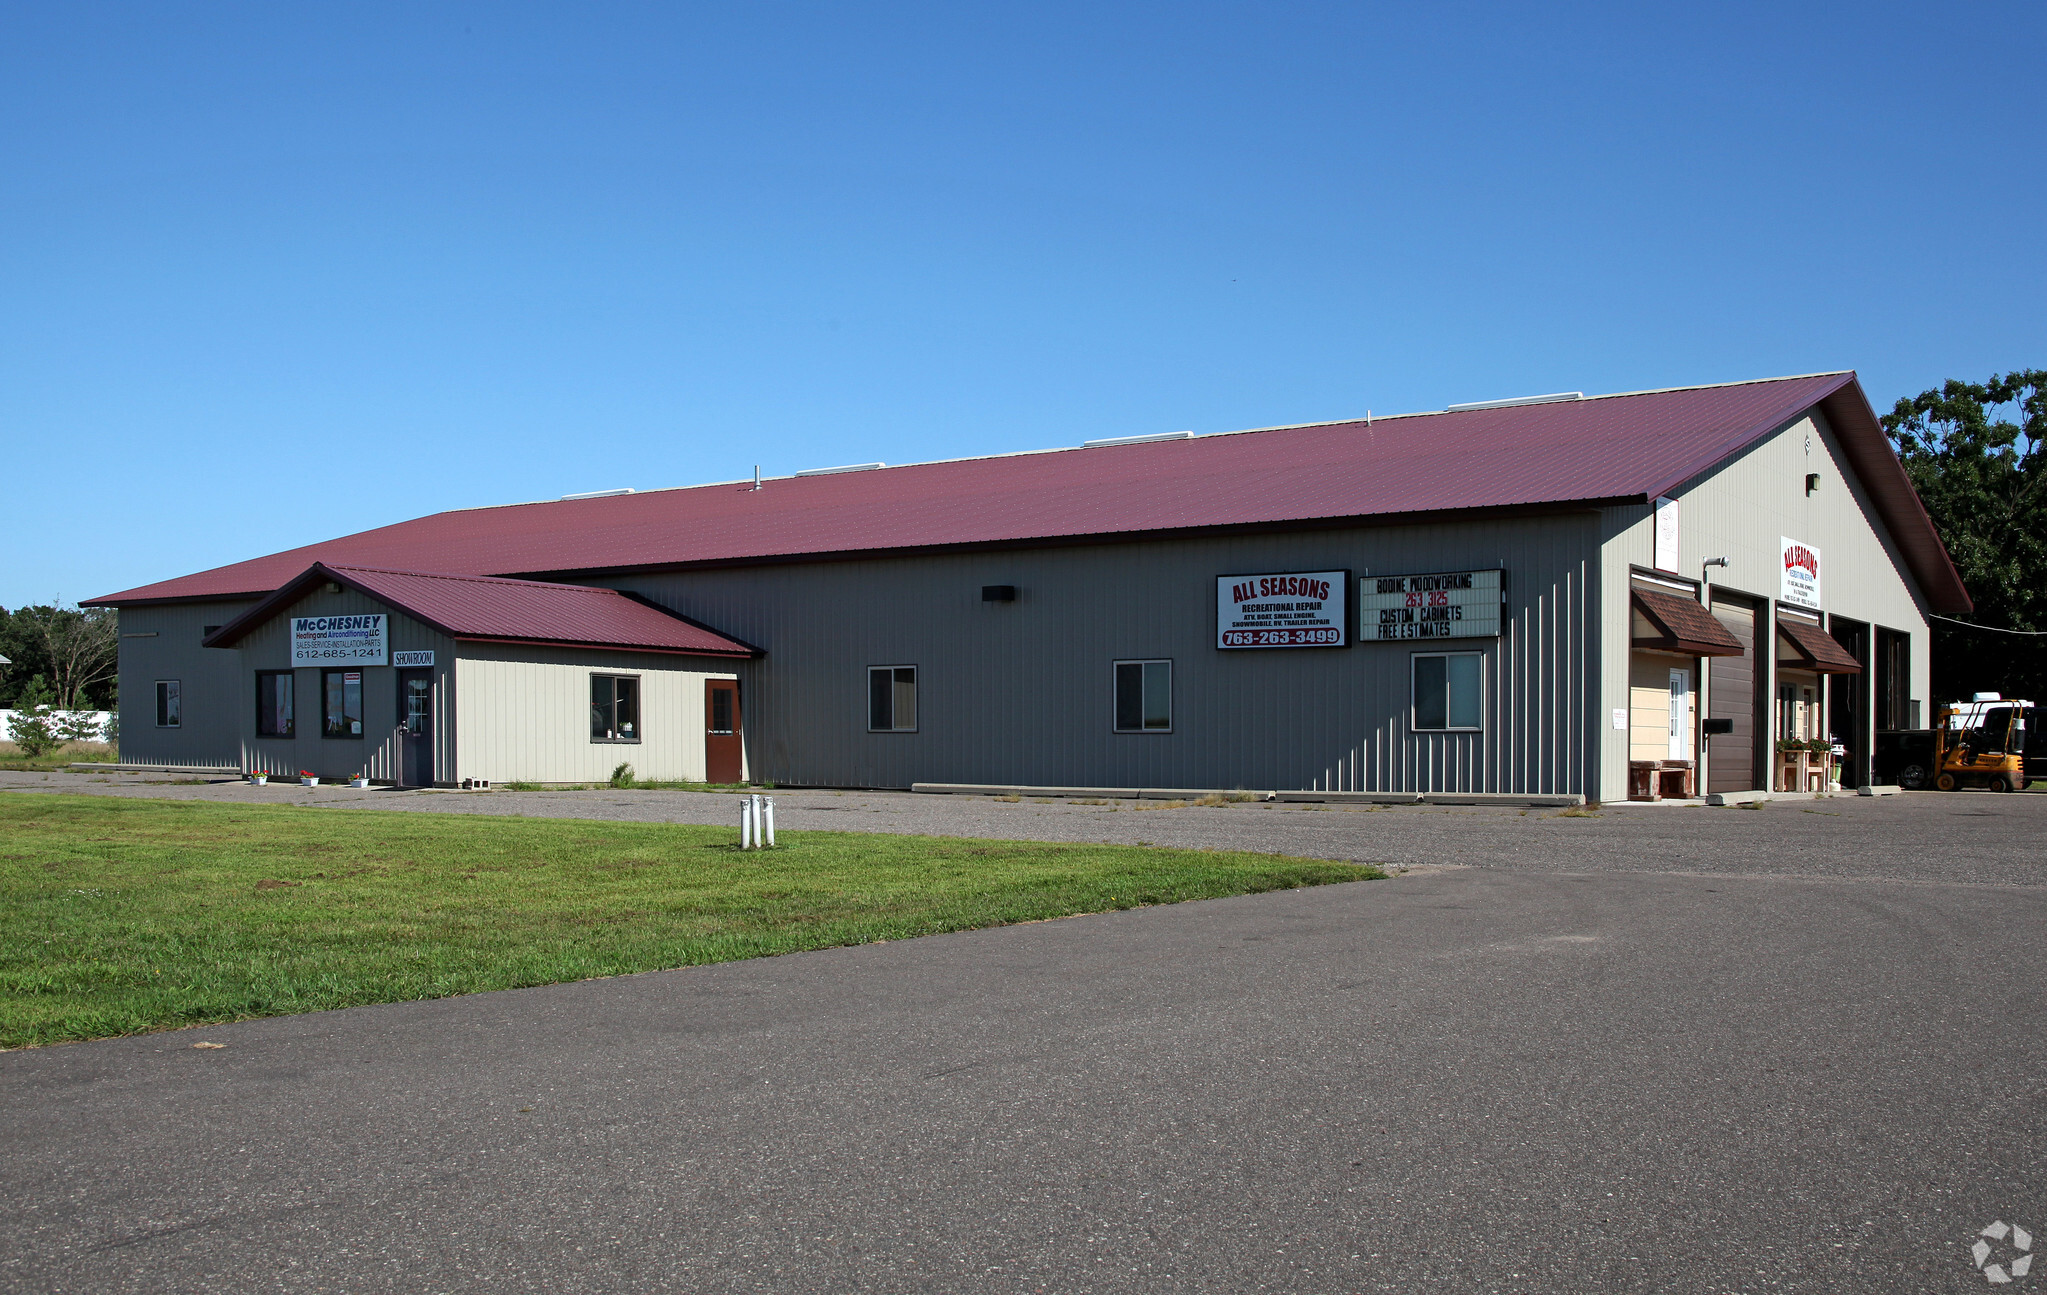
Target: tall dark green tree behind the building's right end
[1985,482]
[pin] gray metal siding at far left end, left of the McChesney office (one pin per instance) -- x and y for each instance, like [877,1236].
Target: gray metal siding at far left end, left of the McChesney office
[208,678]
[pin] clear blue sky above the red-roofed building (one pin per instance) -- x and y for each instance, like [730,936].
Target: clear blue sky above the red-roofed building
[277,273]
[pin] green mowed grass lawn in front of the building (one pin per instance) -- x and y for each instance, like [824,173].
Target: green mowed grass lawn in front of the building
[132,916]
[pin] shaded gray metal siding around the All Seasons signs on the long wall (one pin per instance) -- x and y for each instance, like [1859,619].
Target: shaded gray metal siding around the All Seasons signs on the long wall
[1025,693]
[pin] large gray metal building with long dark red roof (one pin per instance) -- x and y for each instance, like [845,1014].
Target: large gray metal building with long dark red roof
[1565,596]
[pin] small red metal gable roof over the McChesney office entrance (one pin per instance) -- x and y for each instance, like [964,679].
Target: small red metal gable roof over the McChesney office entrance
[505,611]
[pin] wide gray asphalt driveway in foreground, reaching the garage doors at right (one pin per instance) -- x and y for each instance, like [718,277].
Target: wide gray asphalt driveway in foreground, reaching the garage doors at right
[1522,1077]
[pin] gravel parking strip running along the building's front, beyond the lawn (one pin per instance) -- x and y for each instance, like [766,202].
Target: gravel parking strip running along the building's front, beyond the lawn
[1917,836]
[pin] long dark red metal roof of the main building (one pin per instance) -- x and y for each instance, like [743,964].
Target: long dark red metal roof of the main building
[1606,449]
